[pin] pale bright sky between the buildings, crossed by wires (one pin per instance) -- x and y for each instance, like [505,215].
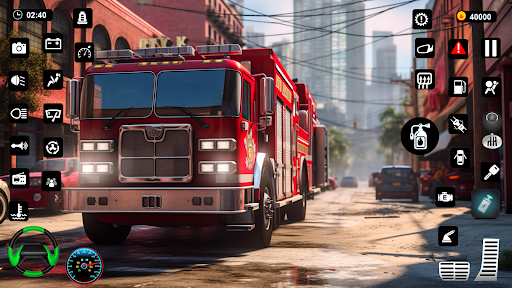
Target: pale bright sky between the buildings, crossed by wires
[393,20]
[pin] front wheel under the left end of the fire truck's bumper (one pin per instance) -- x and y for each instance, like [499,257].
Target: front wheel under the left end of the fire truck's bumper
[104,233]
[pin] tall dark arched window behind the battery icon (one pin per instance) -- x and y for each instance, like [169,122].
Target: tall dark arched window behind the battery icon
[60,24]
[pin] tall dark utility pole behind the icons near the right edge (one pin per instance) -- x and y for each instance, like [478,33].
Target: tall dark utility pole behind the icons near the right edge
[479,103]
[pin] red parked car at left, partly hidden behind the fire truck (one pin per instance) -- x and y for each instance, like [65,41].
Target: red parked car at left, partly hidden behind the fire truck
[34,195]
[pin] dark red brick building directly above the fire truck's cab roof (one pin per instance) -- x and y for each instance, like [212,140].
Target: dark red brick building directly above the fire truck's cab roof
[206,22]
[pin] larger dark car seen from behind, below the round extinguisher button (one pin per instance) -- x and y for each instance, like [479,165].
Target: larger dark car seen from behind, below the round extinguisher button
[397,182]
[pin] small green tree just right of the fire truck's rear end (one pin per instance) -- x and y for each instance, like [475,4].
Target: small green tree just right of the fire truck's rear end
[338,147]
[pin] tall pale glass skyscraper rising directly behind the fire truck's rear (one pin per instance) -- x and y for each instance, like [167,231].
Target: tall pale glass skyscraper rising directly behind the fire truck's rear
[323,75]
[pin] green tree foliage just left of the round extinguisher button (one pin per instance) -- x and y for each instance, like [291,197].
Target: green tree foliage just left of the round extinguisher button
[392,123]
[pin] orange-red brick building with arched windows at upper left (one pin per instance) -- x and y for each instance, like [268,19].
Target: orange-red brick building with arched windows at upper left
[114,27]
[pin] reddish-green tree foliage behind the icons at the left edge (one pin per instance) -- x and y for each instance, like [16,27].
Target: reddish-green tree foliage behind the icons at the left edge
[35,64]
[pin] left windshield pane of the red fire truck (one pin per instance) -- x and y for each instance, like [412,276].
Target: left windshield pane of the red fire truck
[104,95]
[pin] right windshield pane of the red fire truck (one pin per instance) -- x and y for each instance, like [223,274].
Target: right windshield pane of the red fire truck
[202,92]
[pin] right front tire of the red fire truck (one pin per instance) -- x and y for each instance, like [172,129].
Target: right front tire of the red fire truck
[261,235]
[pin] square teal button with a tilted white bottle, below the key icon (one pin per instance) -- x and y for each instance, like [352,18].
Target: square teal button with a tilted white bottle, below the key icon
[485,203]
